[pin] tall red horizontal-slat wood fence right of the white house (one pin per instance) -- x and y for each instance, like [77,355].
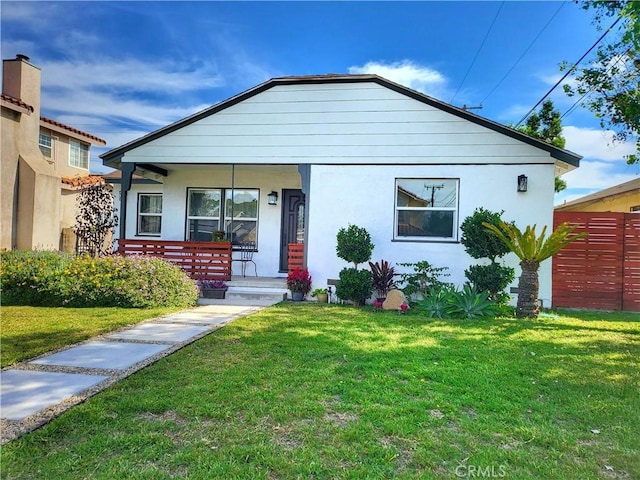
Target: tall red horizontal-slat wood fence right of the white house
[601,271]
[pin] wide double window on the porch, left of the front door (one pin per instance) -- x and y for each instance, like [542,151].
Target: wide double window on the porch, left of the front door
[204,214]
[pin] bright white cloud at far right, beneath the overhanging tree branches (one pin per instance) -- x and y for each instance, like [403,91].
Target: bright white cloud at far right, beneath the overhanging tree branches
[596,144]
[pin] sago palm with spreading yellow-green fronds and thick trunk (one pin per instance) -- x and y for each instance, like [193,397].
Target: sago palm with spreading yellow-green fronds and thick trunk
[532,250]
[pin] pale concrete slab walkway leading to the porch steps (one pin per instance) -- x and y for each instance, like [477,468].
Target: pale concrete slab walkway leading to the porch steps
[35,391]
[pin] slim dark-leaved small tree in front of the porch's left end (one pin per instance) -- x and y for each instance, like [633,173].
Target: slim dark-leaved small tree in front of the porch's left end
[95,219]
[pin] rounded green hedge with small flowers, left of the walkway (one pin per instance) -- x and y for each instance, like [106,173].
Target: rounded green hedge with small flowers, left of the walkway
[55,279]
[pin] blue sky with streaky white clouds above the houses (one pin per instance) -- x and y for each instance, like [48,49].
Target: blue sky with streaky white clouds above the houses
[122,69]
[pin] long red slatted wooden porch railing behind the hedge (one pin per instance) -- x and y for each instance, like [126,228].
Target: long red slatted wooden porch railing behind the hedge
[199,260]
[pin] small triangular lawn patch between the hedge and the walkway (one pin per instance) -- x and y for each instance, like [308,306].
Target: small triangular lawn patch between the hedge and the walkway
[26,332]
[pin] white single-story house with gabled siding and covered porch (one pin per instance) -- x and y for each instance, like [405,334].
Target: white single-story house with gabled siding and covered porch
[336,150]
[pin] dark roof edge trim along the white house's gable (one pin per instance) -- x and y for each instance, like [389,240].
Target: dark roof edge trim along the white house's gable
[111,157]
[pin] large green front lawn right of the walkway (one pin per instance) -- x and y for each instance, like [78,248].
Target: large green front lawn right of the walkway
[326,391]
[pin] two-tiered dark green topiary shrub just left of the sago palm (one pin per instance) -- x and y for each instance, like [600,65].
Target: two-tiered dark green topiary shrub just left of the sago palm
[479,243]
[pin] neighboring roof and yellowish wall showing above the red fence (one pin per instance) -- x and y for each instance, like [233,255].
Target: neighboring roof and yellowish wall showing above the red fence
[624,198]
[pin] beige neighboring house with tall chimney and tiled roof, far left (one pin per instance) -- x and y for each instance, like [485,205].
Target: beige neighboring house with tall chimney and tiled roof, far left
[44,164]
